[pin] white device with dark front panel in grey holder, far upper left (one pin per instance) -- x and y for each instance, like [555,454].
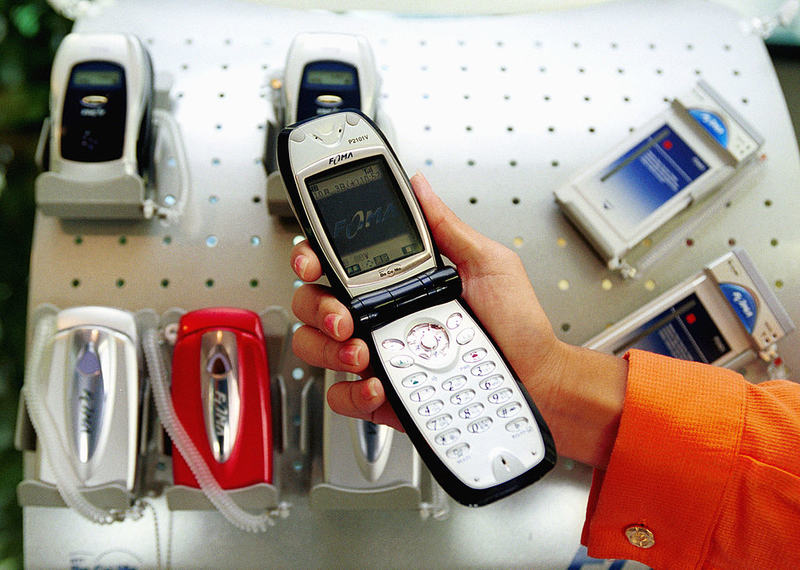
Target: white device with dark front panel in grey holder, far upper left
[100,145]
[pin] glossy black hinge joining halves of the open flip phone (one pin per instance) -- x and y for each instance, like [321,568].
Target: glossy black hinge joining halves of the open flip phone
[432,287]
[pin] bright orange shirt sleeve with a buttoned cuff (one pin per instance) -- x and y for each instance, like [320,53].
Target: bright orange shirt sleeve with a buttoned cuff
[705,471]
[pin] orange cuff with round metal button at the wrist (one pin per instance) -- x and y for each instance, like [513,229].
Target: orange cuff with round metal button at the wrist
[679,433]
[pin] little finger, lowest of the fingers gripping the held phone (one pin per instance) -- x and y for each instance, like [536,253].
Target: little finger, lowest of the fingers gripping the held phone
[363,399]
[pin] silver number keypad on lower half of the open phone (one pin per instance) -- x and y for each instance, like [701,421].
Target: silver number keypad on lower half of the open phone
[457,387]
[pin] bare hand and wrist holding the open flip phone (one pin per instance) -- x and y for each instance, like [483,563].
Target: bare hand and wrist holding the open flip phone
[498,290]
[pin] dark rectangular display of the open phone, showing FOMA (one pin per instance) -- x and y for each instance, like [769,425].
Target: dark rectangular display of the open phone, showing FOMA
[365,216]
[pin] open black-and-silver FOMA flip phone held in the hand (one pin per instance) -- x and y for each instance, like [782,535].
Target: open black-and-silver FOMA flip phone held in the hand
[463,407]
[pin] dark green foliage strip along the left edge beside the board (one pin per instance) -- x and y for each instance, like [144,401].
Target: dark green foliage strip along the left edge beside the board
[30,32]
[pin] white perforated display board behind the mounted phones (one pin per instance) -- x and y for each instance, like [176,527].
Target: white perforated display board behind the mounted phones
[497,112]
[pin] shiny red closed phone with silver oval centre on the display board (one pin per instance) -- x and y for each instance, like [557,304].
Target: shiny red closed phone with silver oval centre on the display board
[221,394]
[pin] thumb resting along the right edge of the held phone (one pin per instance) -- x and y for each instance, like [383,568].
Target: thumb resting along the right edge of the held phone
[456,240]
